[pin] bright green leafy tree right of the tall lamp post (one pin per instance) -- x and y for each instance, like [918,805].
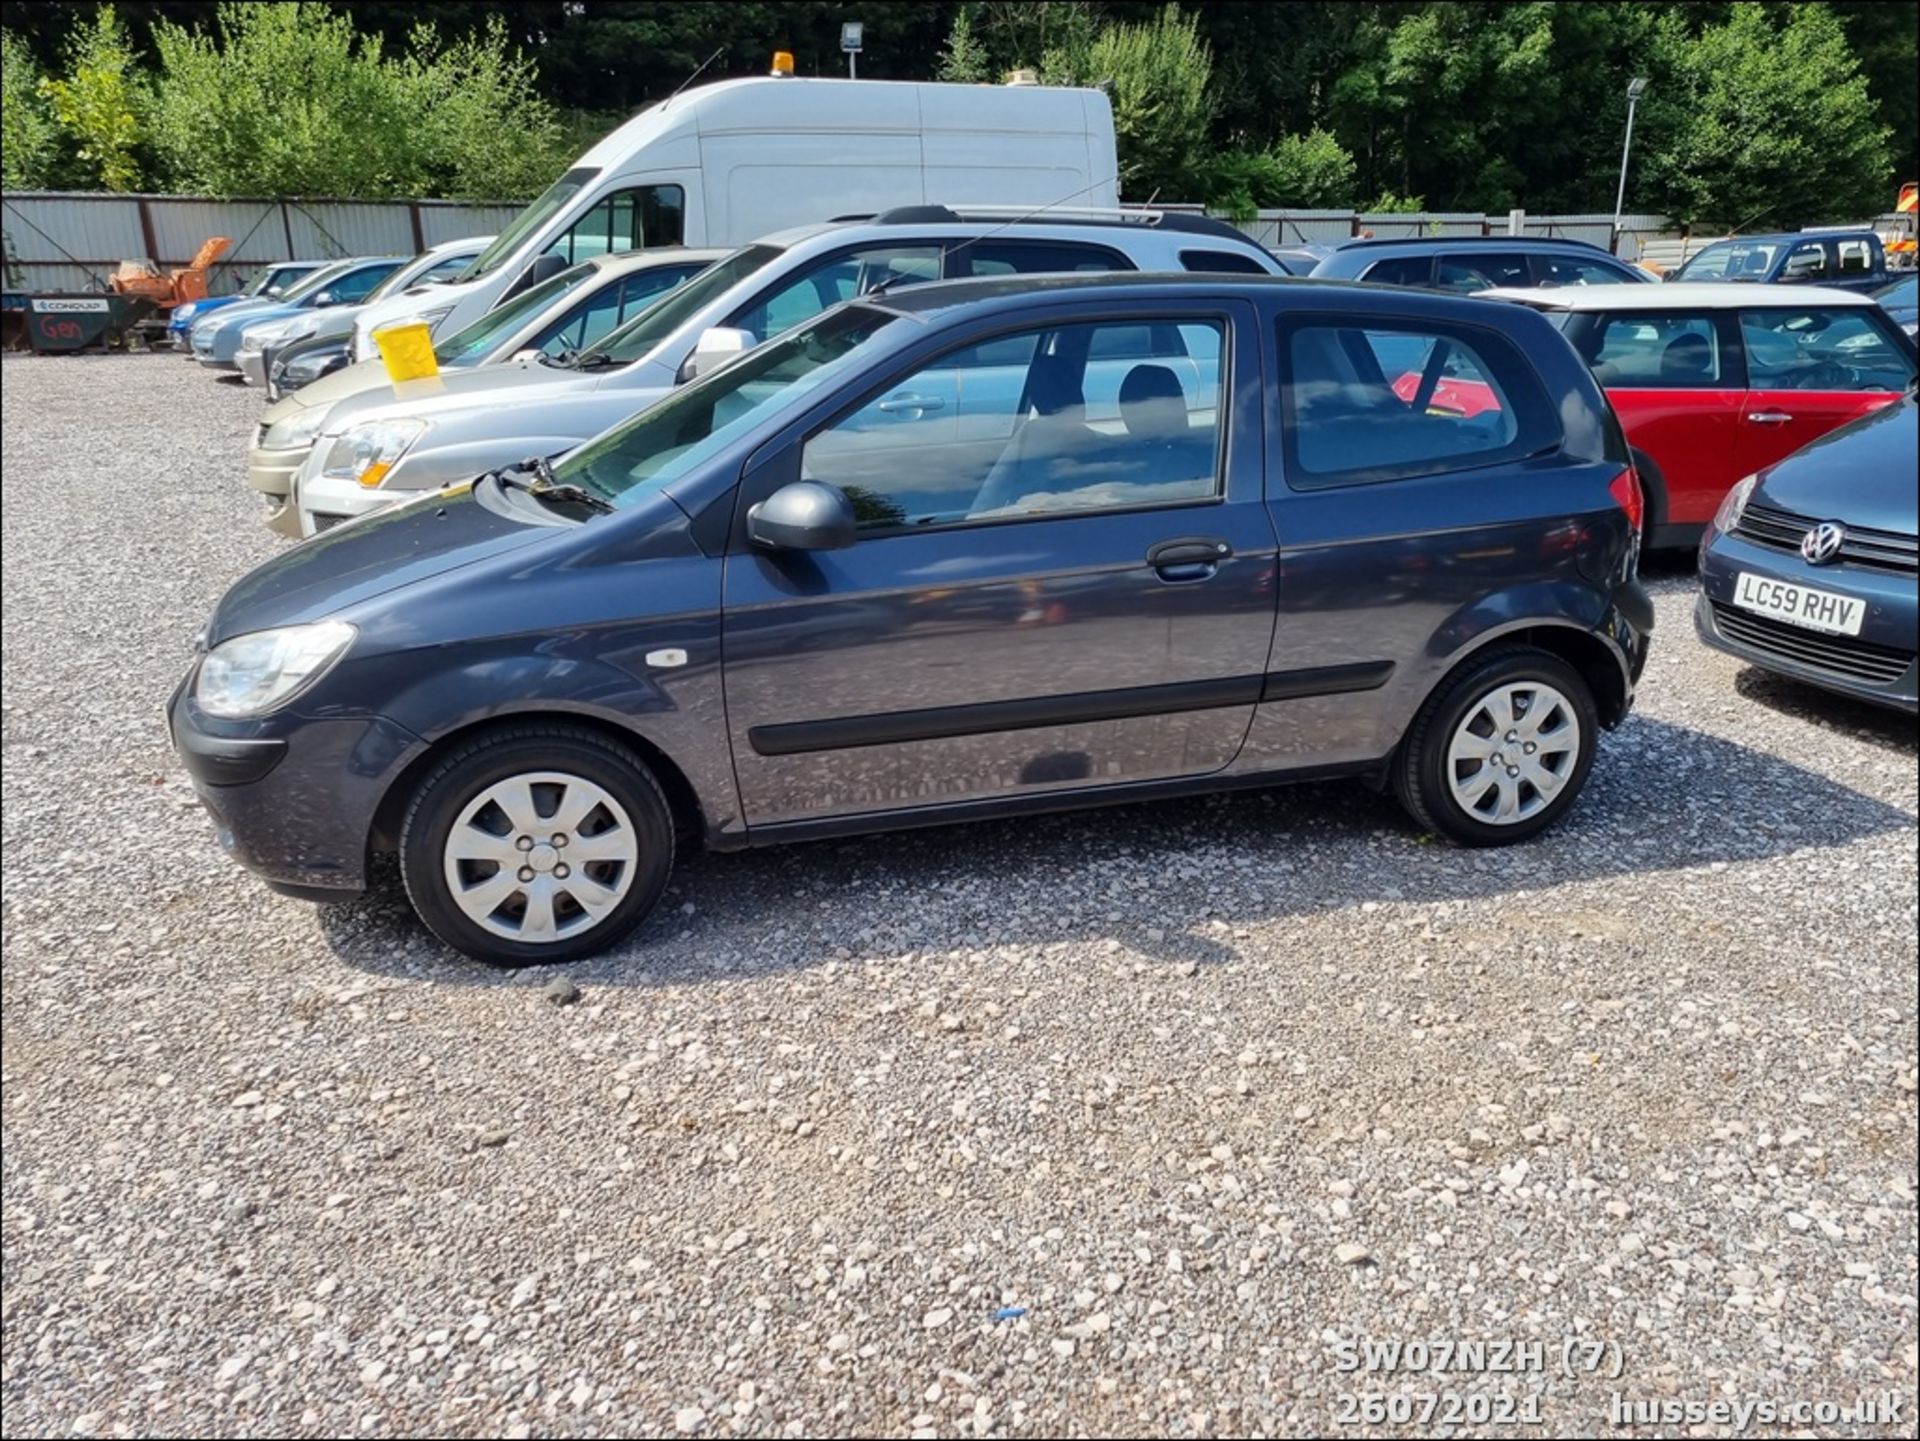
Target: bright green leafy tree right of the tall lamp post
[1764,118]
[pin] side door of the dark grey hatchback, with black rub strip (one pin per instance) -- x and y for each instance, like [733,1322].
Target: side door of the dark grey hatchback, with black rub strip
[1078,603]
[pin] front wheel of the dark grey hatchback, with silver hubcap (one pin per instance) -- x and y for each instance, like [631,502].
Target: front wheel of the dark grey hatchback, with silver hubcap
[537,843]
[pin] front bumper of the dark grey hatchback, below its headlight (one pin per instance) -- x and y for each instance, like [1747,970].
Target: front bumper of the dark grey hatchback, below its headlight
[291,799]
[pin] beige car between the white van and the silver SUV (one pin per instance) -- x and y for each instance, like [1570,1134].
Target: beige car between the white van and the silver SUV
[544,325]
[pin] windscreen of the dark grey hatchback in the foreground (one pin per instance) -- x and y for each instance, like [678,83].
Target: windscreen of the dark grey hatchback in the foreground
[702,419]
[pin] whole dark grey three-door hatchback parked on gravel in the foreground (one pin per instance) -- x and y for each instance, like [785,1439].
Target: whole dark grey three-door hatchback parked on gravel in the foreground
[957,552]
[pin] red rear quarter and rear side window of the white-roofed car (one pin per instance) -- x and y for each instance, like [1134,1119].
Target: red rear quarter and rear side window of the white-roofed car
[1675,383]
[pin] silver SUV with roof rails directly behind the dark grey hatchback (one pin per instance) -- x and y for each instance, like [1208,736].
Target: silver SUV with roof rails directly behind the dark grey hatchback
[381,446]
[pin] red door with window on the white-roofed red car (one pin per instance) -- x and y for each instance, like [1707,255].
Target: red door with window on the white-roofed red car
[1812,369]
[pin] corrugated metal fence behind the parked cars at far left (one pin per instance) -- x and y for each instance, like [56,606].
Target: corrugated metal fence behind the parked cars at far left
[59,241]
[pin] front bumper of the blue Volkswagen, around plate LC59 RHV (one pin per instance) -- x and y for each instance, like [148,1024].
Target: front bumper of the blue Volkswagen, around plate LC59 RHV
[1879,667]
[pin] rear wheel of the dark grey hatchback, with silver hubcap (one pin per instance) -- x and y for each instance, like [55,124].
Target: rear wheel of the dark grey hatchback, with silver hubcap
[1500,751]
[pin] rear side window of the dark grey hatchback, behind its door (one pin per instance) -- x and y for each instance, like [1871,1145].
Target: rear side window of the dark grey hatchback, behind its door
[1372,402]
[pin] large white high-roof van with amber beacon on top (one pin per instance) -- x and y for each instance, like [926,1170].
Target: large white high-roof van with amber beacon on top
[738,160]
